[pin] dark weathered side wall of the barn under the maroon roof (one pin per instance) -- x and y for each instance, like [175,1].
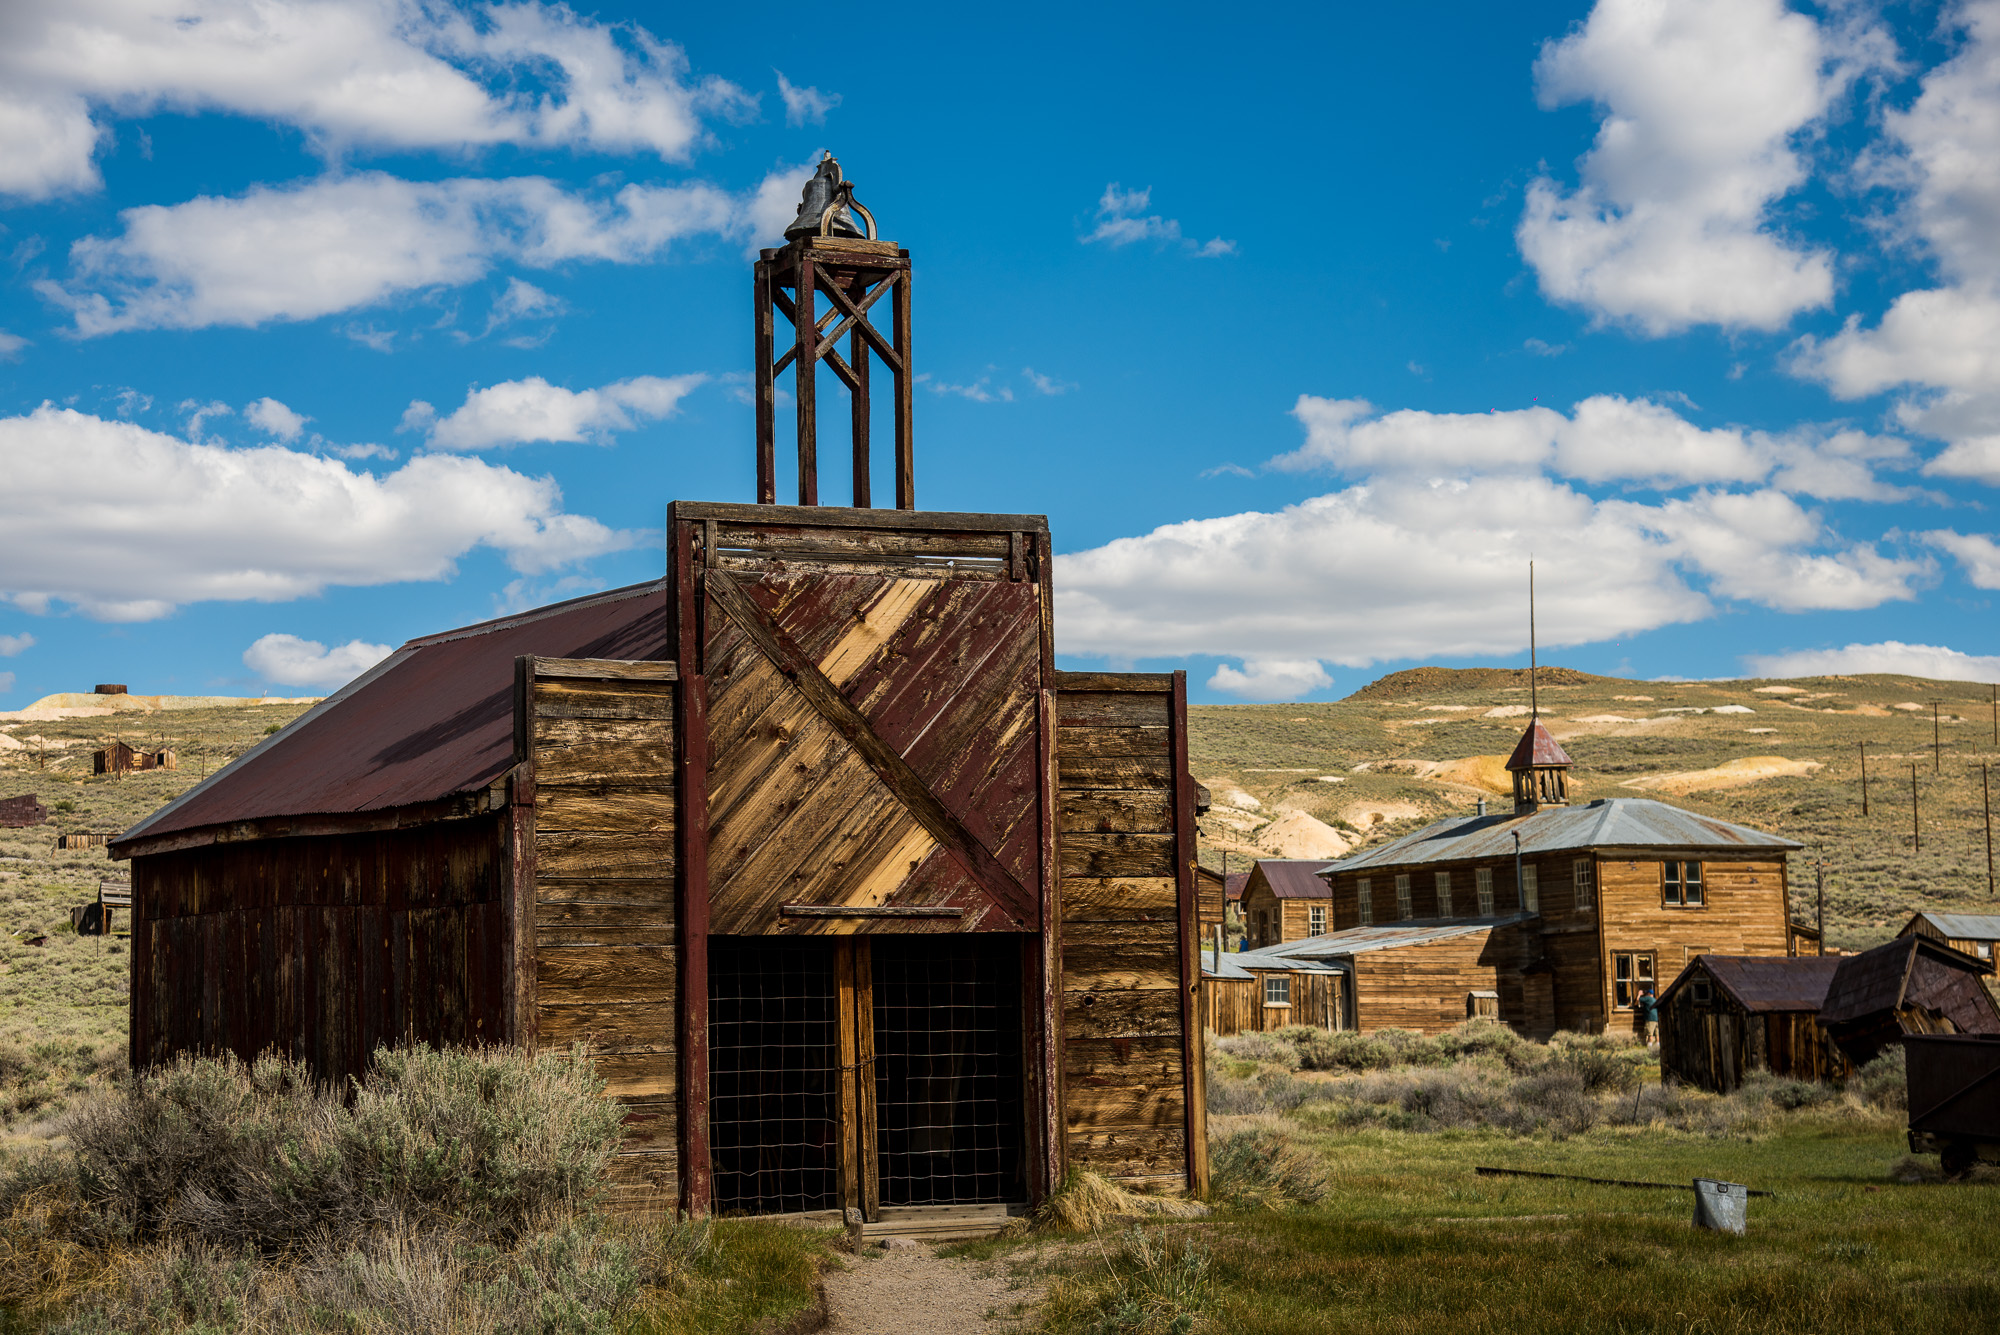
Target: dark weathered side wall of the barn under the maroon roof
[321,948]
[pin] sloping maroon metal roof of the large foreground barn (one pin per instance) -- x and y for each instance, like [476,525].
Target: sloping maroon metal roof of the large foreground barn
[429,722]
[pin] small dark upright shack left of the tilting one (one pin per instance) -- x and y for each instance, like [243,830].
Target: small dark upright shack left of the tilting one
[1731,1014]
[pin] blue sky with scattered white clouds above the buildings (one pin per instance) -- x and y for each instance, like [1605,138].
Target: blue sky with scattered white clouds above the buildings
[329,325]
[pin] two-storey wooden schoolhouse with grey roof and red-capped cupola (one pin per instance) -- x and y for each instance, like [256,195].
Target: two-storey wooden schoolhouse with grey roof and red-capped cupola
[1603,898]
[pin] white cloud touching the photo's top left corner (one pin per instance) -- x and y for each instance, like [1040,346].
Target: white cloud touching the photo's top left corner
[367,73]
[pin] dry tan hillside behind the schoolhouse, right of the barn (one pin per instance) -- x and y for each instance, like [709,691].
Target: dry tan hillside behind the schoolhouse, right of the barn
[1313,780]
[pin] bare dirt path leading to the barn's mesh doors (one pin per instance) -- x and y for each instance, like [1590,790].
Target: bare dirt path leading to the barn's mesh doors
[917,1292]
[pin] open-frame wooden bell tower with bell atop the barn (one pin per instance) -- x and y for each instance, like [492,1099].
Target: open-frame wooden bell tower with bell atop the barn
[835,263]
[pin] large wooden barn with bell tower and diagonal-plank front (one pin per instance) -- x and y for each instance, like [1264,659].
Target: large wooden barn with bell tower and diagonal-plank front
[861,902]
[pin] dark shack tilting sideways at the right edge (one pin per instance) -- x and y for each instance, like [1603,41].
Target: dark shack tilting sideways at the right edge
[1905,986]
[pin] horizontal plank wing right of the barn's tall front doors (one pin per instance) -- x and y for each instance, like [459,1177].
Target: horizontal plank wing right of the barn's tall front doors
[1125,1074]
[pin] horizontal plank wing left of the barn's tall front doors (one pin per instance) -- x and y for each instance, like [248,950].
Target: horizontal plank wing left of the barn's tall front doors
[599,738]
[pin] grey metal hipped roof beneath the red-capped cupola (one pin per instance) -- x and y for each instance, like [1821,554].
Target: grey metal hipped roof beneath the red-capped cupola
[1607,822]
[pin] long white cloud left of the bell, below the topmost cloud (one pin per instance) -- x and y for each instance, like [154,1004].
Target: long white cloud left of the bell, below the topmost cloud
[343,243]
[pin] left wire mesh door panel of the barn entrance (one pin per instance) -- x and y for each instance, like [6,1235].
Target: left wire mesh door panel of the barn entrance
[773,1076]
